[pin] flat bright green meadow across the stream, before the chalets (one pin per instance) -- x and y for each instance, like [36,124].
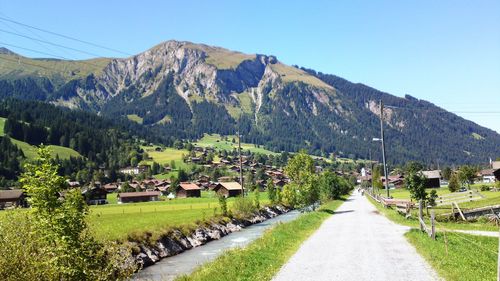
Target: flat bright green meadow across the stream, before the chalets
[117,221]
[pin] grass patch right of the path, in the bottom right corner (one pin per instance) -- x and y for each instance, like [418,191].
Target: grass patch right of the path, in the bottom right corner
[468,257]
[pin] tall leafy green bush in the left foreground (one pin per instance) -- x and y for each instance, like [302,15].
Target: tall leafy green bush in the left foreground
[65,248]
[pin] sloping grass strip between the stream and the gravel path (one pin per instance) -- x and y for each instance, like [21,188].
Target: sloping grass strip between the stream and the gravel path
[262,259]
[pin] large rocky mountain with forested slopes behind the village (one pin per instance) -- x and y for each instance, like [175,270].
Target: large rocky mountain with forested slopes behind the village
[186,89]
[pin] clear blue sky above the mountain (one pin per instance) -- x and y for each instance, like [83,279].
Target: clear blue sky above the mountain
[447,52]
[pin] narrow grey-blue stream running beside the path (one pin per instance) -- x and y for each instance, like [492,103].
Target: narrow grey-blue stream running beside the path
[186,262]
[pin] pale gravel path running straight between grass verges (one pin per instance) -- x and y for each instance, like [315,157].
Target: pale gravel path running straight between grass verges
[357,244]
